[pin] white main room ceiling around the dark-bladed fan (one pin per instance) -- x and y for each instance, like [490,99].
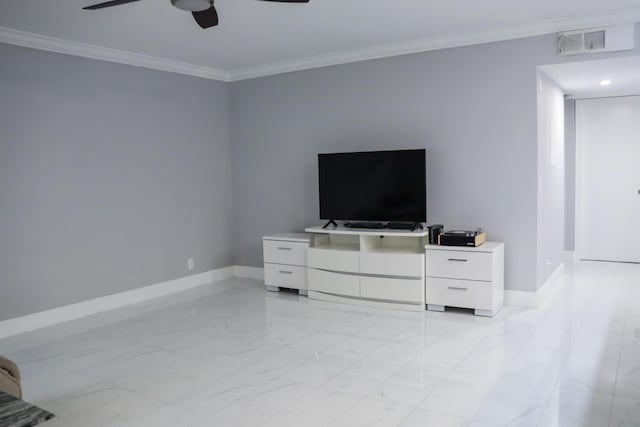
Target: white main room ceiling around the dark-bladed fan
[258,35]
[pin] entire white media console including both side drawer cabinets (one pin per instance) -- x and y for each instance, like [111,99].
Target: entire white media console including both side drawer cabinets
[386,268]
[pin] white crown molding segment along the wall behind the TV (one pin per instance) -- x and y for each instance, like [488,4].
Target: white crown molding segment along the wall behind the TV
[425,45]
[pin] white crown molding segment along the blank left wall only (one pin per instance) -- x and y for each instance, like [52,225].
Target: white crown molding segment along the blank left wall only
[37,41]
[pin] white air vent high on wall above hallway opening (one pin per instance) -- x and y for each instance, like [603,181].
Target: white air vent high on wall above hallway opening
[594,40]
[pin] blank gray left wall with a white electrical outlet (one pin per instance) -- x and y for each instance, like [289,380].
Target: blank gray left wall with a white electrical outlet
[111,176]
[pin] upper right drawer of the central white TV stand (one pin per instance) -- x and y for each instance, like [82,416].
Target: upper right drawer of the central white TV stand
[390,264]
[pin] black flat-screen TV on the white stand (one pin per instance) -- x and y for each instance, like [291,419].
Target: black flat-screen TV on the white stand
[373,186]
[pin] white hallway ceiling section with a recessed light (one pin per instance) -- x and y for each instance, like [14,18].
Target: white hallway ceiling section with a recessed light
[582,79]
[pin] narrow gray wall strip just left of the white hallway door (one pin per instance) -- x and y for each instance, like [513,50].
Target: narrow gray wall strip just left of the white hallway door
[570,174]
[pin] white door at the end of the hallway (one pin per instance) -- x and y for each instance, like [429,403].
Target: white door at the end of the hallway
[608,179]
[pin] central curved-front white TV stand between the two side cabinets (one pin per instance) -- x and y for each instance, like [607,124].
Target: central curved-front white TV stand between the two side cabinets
[372,267]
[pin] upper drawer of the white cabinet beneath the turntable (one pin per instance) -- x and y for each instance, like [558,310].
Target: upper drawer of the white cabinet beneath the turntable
[459,265]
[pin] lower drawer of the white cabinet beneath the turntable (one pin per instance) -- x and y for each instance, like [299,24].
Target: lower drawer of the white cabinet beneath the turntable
[459,293]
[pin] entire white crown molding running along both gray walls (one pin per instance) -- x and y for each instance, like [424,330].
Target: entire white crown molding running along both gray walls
[37,41]
